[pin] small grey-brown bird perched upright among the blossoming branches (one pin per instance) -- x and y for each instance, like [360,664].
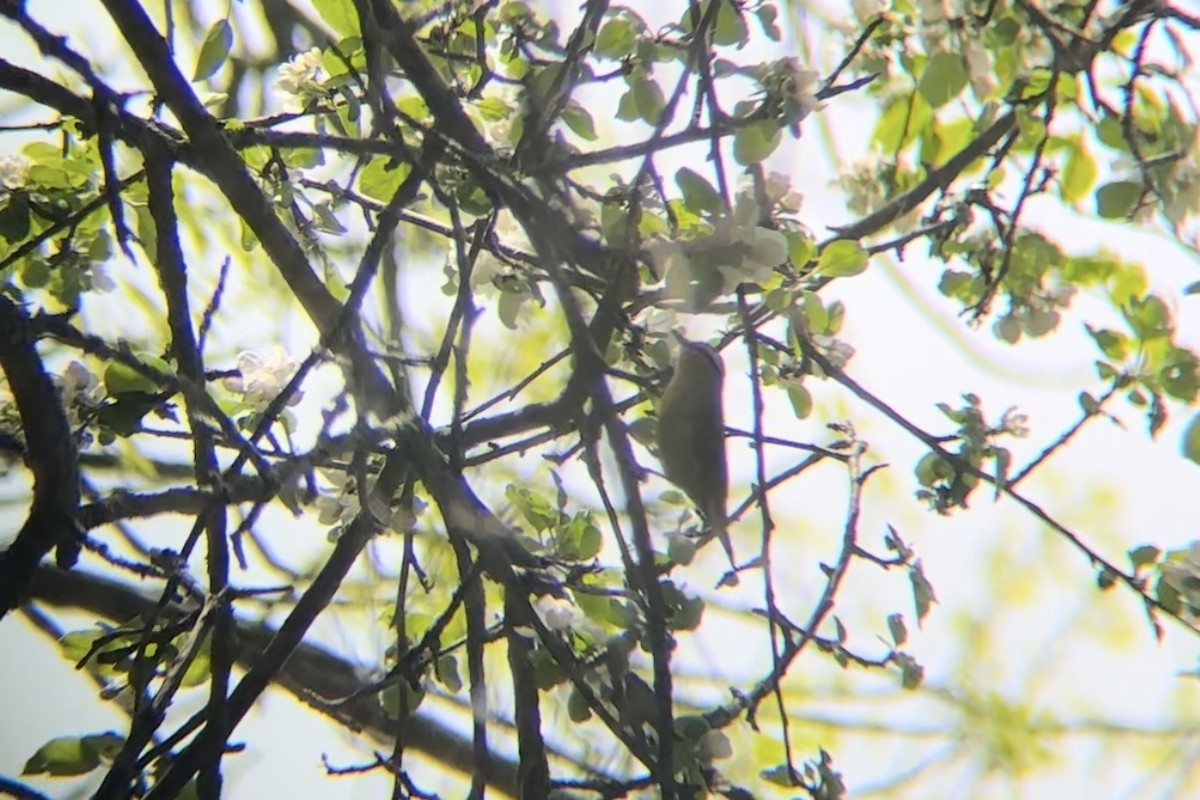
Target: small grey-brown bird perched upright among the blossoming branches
[692,435]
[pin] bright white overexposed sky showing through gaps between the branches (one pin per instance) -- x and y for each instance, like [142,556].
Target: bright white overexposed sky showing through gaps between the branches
[1055,642]
